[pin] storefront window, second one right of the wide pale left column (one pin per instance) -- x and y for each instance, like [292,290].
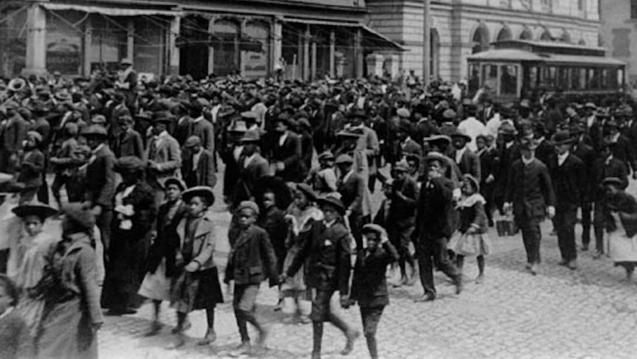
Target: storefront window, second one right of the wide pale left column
[108,42]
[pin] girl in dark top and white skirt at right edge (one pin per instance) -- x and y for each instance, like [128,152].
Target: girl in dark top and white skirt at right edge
[621,226]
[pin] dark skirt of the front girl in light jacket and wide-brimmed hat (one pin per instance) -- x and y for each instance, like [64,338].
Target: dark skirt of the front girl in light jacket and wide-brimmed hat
[196,290]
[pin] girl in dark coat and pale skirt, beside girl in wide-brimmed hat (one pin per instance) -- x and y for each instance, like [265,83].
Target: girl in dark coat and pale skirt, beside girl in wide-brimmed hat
[161,256]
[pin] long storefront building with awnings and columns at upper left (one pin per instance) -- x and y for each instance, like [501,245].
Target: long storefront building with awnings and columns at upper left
[302,38]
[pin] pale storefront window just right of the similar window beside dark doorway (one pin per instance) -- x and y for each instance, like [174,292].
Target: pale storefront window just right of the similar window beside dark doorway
[255,48]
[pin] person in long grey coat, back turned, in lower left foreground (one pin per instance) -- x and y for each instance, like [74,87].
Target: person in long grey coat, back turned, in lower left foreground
[72,313]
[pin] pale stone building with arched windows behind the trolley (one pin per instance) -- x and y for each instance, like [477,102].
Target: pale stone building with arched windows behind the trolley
[459,28]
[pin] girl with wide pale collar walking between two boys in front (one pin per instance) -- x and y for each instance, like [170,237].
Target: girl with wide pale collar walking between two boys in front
[301,214]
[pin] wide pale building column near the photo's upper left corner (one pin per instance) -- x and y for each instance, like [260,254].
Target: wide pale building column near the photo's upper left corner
[35,62]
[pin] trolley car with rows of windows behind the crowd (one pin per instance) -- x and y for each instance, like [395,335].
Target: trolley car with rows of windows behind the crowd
[515,69]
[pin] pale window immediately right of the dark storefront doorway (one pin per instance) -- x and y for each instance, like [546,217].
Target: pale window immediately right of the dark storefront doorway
[226,47]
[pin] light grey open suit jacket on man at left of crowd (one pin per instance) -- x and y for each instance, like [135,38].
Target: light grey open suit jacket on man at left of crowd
[165,152]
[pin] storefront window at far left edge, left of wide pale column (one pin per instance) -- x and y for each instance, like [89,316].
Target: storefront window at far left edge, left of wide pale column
[13,39]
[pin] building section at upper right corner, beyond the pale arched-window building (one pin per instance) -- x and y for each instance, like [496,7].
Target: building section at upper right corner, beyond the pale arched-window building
[619,32]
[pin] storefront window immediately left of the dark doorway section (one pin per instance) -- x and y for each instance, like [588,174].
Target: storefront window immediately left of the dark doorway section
[149,46]
